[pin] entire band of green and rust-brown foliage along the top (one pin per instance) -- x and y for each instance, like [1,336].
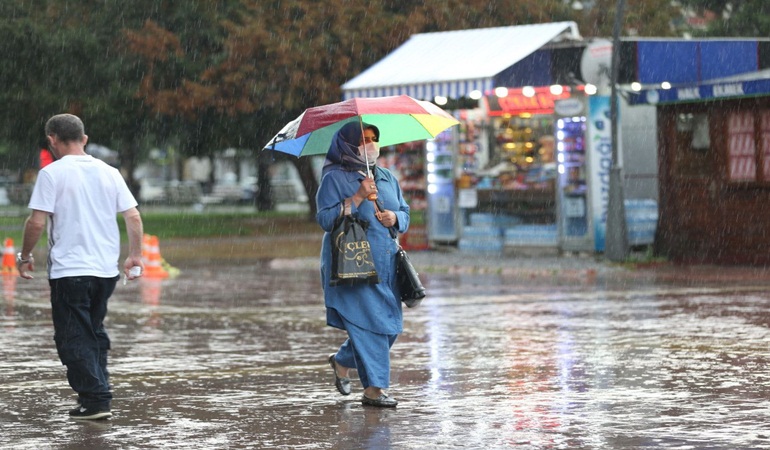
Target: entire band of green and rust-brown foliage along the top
[209,74]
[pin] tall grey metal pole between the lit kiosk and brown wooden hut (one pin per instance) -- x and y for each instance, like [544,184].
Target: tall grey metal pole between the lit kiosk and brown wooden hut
[616,244]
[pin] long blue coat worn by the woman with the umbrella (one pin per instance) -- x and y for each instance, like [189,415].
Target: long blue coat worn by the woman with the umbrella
[374,307]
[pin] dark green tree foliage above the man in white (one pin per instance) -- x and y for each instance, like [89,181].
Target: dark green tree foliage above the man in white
[72,57]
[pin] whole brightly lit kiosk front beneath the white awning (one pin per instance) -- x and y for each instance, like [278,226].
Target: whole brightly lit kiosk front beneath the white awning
[503,179]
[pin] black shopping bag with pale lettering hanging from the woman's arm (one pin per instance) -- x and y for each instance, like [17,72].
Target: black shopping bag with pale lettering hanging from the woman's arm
[352,261]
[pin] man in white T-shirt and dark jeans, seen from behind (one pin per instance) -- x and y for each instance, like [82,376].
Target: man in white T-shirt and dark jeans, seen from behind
[80,197]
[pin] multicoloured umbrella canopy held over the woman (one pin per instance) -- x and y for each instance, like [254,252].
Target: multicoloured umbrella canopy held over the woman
[399,119]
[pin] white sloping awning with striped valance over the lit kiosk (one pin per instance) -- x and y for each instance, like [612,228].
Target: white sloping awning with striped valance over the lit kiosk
[454,63]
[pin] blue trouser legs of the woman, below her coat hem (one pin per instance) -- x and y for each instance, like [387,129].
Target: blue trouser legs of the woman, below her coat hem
[369,353]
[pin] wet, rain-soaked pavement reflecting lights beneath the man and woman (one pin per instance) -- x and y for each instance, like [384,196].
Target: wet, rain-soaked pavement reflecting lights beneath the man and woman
[235,357]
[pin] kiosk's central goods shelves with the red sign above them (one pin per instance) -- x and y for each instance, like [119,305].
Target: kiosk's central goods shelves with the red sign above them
[516,174]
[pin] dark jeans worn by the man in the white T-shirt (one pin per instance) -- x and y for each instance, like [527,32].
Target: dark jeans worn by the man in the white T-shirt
[79,305]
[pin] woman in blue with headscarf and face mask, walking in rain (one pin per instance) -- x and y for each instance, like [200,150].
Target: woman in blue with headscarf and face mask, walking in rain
[369,313]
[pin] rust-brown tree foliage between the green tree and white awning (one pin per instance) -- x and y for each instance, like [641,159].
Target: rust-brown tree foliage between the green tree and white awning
[282,57]
